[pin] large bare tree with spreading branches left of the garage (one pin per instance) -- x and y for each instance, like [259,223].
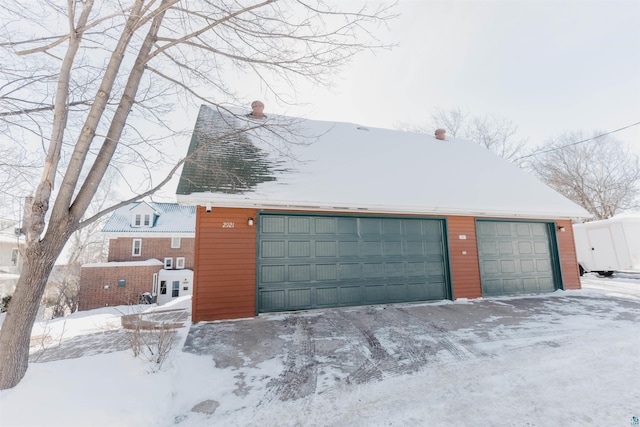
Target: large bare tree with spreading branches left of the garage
[78,74]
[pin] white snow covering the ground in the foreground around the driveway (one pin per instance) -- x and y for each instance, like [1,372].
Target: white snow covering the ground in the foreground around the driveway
[573,359]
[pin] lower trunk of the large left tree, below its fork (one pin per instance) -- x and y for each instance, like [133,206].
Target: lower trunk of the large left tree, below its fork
[21,314]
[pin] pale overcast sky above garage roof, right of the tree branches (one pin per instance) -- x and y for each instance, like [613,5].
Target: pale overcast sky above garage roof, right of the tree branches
[549,66]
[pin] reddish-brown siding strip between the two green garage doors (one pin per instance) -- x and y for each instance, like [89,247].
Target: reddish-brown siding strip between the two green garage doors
[465,268]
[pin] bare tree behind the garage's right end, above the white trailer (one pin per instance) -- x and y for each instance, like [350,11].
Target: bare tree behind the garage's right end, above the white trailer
[599,174]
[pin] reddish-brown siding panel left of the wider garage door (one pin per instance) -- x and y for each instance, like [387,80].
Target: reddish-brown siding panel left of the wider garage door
[225,265]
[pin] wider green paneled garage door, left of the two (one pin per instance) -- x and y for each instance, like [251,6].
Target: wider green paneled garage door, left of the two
[307,261]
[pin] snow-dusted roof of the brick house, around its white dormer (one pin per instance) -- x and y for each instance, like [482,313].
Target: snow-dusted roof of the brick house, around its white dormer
[172,218]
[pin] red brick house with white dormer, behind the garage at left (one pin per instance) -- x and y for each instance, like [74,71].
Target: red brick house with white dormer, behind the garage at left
[151,250]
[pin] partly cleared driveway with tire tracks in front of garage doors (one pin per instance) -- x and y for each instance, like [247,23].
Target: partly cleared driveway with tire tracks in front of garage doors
[318,352]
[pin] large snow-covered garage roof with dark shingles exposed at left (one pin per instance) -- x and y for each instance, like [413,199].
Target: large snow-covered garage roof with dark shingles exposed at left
[283,162]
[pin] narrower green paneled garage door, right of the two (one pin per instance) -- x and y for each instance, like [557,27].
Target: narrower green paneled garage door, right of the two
[515,257]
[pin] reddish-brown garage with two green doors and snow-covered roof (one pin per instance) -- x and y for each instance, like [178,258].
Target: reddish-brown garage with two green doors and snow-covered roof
[297,214]
